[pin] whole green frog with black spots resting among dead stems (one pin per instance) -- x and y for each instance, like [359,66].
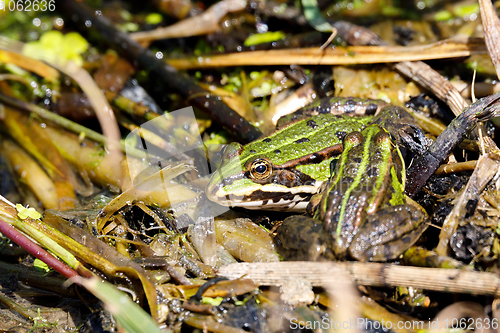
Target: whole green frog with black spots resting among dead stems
[350,164]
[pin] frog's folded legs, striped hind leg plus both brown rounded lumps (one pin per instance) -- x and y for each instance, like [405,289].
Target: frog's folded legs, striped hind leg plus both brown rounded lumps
[363,211]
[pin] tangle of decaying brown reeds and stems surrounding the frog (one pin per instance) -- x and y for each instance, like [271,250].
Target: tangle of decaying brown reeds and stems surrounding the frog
[99,184]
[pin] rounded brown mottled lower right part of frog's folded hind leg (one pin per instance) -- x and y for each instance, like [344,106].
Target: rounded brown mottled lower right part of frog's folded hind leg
[387,234]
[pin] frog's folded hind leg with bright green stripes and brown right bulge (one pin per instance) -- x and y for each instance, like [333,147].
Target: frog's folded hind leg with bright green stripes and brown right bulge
[363,206]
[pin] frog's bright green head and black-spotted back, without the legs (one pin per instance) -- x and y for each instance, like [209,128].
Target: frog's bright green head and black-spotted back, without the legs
[297,157]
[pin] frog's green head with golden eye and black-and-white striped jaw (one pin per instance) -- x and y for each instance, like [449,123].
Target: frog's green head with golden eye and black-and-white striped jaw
[253,181]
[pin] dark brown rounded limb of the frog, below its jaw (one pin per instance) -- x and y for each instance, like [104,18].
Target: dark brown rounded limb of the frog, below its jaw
[303,238]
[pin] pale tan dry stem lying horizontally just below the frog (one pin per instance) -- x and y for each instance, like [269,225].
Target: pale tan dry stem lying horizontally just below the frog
[371,274]
